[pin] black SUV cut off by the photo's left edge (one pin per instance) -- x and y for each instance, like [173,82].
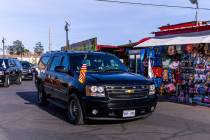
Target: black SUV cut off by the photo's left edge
[10,71]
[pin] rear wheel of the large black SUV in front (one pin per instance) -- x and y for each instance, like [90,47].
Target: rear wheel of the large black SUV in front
[41,96]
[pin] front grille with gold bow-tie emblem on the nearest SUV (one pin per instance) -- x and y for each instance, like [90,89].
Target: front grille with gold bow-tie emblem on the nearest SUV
[127,92]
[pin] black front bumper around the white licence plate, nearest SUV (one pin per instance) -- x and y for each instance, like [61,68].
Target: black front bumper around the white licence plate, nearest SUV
[113,109]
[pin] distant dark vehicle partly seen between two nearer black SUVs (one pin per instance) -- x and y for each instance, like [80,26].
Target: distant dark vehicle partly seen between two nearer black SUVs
[27,70]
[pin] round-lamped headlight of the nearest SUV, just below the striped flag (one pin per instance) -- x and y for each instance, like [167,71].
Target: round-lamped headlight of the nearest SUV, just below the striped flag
[95,91]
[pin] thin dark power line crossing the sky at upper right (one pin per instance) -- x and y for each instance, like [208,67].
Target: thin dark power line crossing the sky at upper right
[155,5]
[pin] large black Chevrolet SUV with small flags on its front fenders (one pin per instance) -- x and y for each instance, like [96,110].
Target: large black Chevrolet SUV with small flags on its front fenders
[106,90]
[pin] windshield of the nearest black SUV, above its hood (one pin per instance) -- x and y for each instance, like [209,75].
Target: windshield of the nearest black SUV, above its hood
[96,62]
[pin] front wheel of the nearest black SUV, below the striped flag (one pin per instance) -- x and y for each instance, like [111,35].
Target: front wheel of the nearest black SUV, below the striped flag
[74,111]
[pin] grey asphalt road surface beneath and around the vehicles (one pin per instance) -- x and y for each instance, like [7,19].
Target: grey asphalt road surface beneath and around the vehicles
[22,119]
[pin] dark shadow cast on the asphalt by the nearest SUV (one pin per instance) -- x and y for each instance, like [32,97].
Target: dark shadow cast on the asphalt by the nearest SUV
[30,98]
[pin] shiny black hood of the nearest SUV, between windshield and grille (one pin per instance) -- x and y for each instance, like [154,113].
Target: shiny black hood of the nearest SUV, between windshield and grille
[116,78]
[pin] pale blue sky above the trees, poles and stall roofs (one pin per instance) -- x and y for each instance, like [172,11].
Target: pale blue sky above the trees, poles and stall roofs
[112,24]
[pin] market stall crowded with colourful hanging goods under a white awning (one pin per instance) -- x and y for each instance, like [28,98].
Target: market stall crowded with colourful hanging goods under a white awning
[179,65]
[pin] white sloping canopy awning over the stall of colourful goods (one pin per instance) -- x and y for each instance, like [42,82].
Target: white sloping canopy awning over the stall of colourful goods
[181,39]
